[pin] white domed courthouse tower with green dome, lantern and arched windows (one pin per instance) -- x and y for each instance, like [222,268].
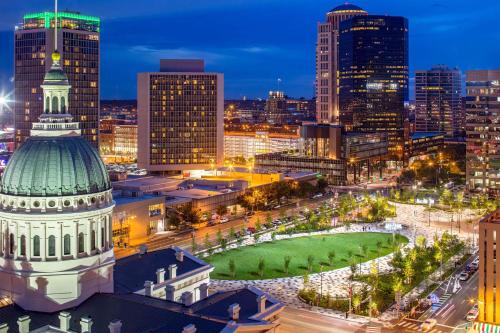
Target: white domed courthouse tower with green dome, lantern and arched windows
[56,207]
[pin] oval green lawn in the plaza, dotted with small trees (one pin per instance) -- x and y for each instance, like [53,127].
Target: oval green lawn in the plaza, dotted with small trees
[246,259]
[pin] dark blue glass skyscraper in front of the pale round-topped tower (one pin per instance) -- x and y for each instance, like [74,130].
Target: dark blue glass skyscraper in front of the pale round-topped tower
[373,76]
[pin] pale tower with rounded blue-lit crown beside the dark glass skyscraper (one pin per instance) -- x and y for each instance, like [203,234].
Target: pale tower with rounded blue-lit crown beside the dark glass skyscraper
[327,100]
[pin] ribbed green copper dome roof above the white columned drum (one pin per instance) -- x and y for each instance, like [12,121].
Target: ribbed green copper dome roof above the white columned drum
[55,166]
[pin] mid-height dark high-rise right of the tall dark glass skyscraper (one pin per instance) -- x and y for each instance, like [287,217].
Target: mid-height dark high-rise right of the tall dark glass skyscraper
[438,100]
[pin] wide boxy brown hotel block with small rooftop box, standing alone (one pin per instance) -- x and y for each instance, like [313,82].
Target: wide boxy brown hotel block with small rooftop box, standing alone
[180,117]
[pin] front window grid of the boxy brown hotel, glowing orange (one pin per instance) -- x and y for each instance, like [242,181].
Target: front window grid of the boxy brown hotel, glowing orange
[183,119]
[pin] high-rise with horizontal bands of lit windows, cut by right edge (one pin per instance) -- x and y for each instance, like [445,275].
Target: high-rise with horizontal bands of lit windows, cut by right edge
[482,130]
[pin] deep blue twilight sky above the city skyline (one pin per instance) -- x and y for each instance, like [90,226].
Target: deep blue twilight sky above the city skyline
[253,42]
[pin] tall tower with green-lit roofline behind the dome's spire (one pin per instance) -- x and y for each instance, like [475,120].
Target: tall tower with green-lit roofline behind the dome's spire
[78,42]
